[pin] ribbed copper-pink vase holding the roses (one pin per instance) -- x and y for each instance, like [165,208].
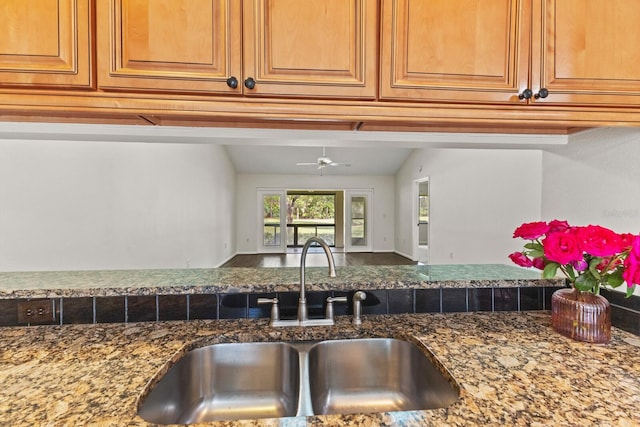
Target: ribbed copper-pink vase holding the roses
[582,316]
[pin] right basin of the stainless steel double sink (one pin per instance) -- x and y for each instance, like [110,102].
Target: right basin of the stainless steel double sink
[374,375]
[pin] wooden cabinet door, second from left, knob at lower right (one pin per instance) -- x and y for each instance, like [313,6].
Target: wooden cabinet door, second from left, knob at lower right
[169,45]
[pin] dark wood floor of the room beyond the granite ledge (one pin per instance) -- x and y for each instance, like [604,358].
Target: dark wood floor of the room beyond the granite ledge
[318,259]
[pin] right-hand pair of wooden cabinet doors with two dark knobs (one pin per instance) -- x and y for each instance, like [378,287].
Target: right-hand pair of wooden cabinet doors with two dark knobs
[566,52]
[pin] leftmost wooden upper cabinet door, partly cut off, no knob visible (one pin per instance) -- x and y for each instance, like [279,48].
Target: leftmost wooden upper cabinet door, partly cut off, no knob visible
[45,43]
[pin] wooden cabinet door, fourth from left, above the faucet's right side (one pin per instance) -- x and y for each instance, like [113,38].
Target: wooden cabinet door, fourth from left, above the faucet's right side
[458,51]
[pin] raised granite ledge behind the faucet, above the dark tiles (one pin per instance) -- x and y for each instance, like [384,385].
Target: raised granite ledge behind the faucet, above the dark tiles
[54,284]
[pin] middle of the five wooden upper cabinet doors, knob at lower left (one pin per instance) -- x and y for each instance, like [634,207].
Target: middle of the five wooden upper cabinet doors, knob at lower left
[311,48]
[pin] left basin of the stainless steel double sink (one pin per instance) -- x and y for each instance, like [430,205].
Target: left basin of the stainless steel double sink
[227,382]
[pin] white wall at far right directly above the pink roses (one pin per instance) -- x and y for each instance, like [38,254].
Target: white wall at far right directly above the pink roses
[595,179]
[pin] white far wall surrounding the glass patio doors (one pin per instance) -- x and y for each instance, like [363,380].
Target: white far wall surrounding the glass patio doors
[382,206]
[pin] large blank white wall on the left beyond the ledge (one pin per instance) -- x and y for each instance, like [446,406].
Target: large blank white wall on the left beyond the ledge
[97,205]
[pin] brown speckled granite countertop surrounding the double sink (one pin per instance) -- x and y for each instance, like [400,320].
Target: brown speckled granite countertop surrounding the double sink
[512,369]
